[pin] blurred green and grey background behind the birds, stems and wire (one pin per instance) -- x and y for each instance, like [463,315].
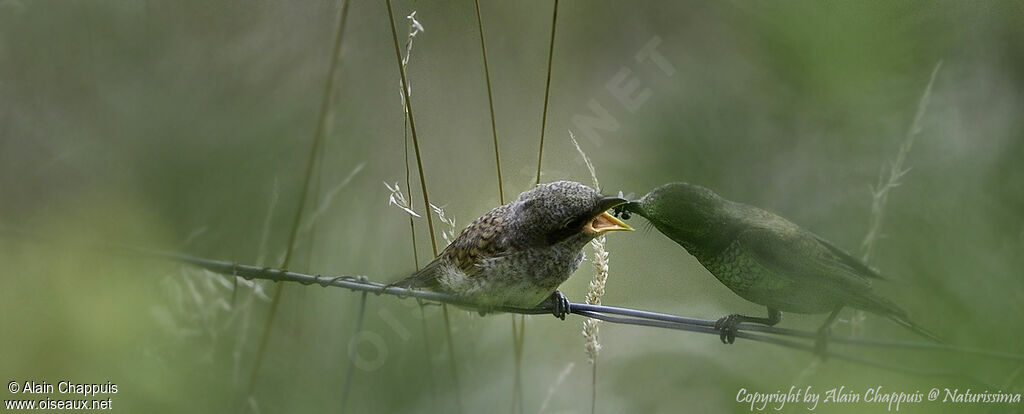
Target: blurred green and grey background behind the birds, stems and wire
[186,126]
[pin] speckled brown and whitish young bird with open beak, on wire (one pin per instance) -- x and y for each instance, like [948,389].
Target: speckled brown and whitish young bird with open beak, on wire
[518,255]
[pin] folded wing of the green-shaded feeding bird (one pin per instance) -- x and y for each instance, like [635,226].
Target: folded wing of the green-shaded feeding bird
[797,255]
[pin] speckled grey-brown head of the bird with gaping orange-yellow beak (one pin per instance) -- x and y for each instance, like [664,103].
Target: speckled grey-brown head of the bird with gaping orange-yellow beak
[567,213]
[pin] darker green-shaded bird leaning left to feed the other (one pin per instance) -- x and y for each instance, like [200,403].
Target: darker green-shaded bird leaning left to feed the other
[765,259]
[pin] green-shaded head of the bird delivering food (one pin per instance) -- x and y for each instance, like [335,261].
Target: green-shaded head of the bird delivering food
[691,216]
